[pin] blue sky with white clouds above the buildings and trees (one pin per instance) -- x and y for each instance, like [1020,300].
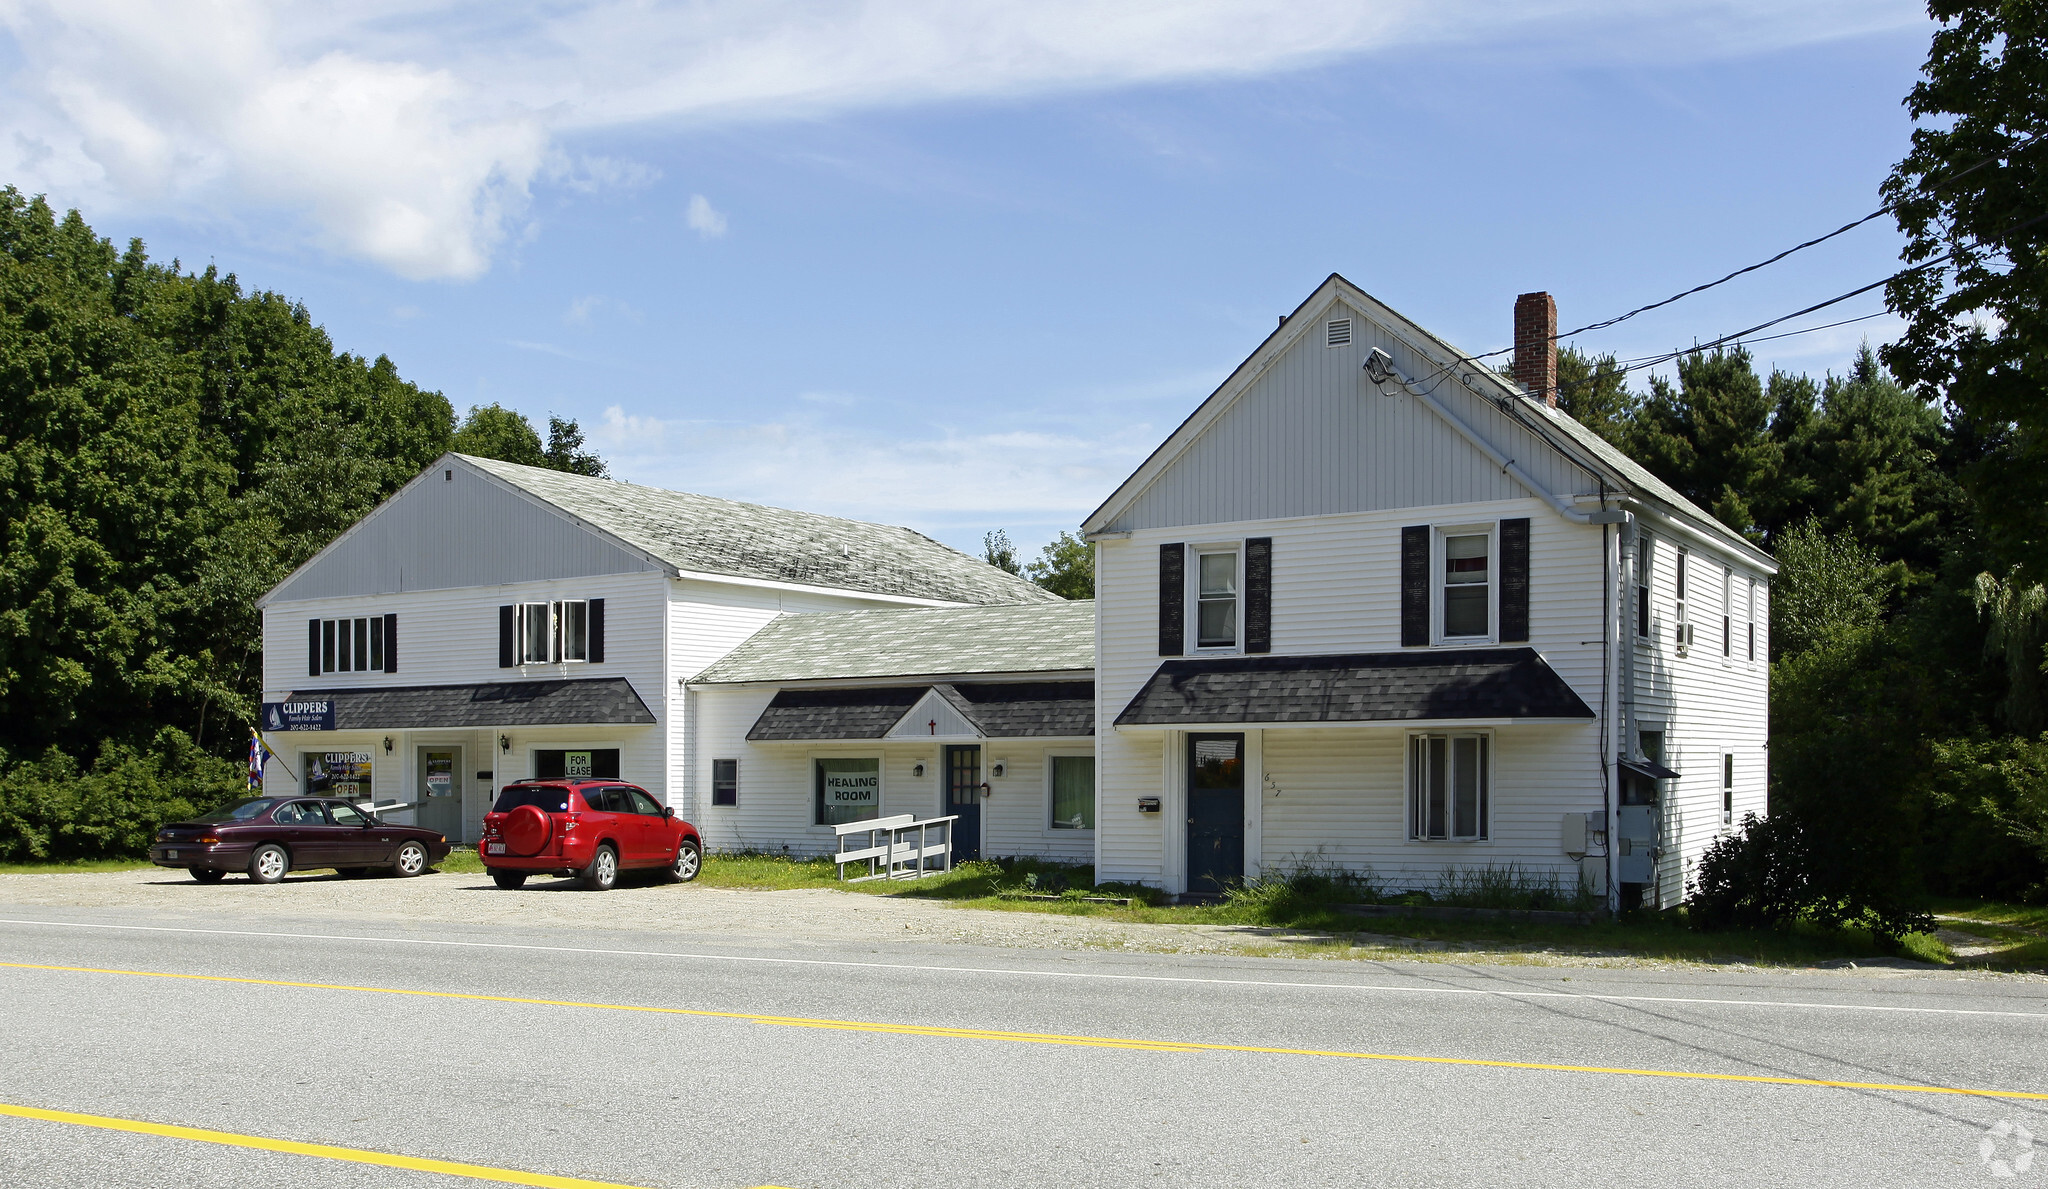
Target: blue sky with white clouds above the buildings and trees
[959,265]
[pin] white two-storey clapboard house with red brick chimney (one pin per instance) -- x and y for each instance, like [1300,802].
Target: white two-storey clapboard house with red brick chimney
[1377,607]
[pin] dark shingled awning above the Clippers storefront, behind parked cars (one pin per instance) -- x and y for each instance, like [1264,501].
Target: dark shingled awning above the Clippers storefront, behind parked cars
[579,703]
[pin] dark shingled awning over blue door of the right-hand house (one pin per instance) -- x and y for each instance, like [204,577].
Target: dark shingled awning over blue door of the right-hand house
[1482,685]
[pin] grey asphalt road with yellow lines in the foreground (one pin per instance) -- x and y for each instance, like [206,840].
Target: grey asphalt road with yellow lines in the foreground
[816,1065]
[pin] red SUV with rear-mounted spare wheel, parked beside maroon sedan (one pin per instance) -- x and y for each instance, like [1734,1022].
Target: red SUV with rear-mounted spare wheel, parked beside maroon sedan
[585,828]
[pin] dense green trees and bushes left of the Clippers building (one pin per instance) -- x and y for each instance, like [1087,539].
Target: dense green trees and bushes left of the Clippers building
[171,447]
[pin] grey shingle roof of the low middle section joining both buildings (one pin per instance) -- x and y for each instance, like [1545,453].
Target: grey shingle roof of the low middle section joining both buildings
[1046,637]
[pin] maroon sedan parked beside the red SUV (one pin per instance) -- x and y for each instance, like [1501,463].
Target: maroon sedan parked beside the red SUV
[269,836]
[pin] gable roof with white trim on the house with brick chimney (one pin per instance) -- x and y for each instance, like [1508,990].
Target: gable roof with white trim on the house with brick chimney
[1568,439]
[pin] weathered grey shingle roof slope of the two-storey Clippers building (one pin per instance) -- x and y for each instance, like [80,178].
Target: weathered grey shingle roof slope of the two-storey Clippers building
[710,535]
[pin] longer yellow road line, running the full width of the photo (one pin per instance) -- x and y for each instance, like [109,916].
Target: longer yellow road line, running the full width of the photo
[1062,1039]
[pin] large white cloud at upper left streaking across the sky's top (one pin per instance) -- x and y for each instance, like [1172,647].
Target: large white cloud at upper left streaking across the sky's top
[413,136]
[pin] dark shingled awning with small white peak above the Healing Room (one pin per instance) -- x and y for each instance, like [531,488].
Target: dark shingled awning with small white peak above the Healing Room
[982,709]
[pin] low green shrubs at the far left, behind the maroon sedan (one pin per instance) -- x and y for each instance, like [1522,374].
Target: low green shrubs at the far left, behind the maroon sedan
[56,811]
